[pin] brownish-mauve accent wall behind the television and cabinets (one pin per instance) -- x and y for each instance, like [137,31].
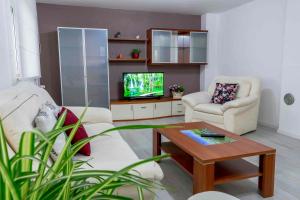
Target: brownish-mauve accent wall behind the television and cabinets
[130,24]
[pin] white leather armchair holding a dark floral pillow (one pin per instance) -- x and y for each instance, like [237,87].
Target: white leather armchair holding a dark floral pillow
[238,116]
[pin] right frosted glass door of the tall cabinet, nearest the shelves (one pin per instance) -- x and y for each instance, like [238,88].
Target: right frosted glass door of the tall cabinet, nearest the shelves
[97,67]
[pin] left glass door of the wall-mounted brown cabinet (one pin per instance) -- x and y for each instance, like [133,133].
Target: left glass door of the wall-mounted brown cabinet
[161,46]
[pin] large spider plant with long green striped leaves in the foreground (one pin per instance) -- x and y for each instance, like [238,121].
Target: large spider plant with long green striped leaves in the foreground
[29,175]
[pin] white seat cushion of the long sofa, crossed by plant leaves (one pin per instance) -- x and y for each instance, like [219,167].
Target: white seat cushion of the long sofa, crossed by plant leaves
[111,152]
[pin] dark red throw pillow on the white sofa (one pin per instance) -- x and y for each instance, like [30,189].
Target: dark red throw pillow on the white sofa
[80,134]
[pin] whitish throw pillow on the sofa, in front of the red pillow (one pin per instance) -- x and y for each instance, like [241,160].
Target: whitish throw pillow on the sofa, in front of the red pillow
[45,122]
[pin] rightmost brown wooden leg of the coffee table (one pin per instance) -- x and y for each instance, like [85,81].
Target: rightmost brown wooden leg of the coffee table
[266,181]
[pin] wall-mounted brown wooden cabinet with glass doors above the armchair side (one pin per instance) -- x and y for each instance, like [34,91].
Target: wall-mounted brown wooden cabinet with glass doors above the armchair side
[176,46]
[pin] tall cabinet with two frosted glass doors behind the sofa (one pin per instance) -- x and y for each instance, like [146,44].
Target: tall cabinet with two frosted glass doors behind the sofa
[84,71]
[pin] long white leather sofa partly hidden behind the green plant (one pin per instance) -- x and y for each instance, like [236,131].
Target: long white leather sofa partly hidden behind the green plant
[20,104]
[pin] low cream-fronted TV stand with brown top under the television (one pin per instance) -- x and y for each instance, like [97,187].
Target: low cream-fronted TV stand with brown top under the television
[139,109]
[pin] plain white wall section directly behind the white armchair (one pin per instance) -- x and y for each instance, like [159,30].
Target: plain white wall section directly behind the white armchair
[250,43]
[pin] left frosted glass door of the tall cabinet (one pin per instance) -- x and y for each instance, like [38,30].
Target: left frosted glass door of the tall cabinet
[72,66]
